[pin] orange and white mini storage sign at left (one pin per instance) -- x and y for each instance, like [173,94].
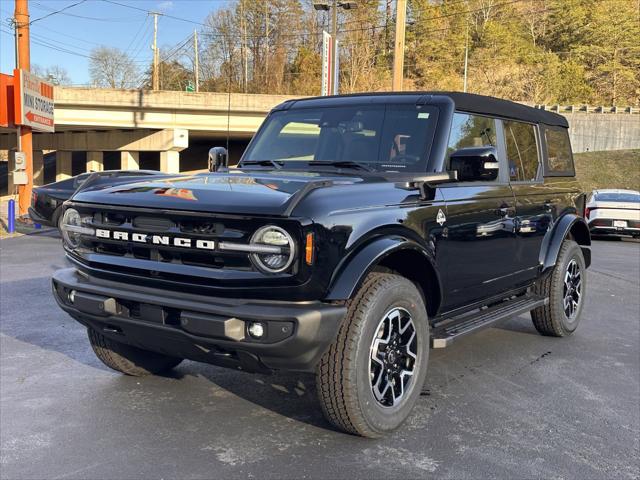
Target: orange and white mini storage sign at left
[33,101]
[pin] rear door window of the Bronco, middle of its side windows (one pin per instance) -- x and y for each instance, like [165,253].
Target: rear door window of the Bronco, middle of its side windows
[522,151]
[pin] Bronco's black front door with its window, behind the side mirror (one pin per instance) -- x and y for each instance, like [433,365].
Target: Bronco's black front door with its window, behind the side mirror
[478,243]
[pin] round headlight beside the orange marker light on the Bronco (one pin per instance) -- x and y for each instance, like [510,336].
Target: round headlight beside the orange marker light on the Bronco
[279,249]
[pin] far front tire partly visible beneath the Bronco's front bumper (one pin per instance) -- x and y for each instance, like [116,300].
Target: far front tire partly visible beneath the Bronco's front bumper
[128,359]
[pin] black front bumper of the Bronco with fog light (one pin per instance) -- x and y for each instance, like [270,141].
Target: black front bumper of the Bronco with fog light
[202,328]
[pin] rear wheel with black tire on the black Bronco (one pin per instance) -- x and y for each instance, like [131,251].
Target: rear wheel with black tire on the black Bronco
[556,319]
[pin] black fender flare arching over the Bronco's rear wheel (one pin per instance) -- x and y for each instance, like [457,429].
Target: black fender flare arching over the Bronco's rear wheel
[553,239]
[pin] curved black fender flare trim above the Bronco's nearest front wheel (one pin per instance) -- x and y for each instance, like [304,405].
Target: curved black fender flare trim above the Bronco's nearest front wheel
[350,274]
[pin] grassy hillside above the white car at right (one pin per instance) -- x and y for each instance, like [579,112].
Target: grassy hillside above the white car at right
[616,169]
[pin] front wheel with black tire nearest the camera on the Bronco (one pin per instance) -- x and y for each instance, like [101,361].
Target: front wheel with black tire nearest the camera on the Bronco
[344,374]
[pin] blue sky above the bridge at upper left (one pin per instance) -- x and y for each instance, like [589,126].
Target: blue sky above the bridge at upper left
[67,38]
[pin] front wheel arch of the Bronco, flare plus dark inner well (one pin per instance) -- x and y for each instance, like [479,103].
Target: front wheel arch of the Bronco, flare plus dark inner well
[390,253]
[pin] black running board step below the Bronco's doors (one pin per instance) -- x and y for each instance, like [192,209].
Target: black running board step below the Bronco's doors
[469,323]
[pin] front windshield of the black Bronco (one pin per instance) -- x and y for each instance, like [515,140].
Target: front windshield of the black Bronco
[378,137]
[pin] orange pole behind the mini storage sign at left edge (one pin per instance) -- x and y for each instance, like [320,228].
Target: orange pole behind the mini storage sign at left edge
[25,137]
